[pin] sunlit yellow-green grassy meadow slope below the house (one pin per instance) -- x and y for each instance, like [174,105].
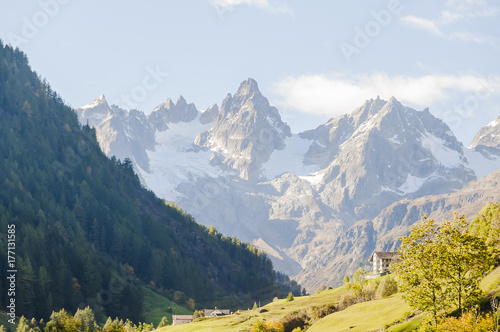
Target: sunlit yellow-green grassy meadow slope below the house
[390,312]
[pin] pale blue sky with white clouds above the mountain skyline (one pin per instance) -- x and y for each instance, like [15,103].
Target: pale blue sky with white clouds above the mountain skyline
[312,59]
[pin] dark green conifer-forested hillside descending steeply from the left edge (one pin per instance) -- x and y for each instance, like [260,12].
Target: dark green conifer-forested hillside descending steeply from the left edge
[87,232]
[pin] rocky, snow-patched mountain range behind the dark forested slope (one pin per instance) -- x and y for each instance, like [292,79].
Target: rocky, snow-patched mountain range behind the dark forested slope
[316,201]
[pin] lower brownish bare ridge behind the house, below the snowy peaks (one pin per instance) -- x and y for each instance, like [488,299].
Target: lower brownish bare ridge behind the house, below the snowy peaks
[355,246]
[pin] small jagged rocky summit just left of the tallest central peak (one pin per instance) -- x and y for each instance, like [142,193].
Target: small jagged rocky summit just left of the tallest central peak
[169,112]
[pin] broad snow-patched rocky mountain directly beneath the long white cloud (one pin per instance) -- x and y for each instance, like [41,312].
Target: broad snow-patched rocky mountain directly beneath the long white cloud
[384,151]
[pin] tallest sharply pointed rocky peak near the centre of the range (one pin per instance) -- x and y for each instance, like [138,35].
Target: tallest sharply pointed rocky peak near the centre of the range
[245,132]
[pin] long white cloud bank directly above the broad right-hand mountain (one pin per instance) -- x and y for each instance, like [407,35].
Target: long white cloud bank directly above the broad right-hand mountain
[337,94]
